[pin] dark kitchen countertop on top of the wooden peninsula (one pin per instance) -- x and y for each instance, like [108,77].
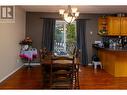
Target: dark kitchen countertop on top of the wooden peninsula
[111,48]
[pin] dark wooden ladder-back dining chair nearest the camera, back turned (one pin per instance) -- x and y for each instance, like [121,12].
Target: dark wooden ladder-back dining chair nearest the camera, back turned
[62,72]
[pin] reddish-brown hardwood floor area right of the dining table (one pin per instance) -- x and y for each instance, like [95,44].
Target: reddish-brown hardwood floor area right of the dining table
[99,79]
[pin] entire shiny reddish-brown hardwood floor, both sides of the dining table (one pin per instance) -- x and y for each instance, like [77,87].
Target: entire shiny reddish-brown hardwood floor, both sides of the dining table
[89,79]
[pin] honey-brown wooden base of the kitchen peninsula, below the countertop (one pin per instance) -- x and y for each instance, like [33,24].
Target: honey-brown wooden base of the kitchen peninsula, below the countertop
[114,62]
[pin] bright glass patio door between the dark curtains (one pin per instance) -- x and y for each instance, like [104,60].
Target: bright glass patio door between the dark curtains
[65,38]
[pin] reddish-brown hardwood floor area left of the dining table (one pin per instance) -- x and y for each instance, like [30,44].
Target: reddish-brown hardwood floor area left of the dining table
[24,79]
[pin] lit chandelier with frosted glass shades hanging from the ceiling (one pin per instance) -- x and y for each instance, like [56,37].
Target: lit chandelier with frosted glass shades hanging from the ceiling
[70,14]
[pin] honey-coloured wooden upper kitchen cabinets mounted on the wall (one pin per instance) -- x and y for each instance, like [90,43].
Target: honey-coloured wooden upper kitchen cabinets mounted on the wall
[116,26]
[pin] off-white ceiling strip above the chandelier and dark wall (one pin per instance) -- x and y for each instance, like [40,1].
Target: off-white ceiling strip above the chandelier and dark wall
[81,8]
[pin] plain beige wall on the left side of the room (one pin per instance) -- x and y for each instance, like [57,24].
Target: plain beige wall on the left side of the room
[10,36]
